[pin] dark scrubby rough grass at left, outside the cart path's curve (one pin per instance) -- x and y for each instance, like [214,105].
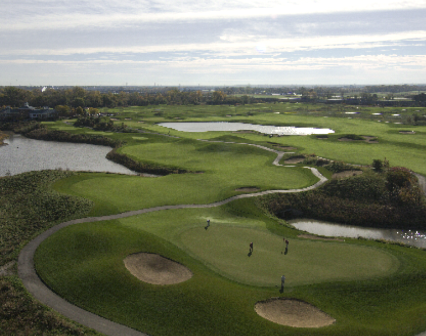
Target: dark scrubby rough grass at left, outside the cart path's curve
[28,207]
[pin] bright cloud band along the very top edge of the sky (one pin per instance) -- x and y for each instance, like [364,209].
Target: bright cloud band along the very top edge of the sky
[24,14]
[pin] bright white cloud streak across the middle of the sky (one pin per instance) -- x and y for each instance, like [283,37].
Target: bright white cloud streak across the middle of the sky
[244,45]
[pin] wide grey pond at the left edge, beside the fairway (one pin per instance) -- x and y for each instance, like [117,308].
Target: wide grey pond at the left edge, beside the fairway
[22,155]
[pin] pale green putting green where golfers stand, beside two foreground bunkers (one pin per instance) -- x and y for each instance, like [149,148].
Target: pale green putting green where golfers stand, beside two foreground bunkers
[226,250]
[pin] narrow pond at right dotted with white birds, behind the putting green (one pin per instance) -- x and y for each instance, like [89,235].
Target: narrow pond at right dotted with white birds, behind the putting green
[410,237]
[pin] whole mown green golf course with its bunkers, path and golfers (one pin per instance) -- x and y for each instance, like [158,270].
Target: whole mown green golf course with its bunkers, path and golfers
[171,254]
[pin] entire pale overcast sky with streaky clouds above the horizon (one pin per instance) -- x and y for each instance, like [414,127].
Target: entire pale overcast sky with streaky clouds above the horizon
[214,42]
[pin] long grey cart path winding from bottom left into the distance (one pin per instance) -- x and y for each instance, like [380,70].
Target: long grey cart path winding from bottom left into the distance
[34,285]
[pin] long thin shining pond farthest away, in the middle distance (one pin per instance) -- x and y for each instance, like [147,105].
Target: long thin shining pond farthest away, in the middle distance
[236,126]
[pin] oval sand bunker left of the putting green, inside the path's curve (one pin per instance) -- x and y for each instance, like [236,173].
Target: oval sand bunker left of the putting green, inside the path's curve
[155,269]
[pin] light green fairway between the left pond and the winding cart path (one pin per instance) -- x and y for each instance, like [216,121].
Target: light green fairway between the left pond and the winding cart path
[224,167]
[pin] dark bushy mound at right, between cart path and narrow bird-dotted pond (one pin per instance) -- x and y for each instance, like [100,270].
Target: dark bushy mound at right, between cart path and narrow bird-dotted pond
[361,200]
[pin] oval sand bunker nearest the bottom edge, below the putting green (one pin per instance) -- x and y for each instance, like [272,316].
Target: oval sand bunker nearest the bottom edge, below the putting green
[293,313]
